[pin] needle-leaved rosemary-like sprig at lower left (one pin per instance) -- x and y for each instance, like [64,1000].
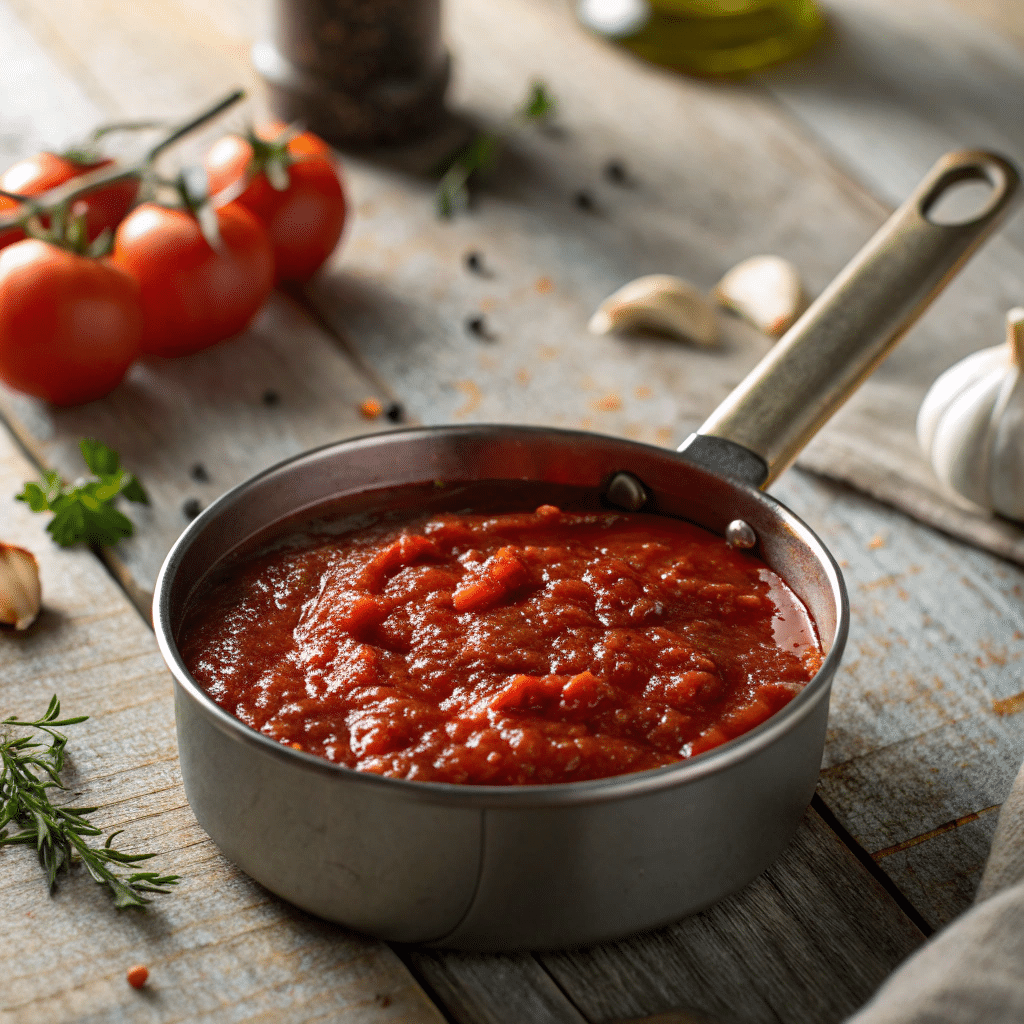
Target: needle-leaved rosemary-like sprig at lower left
[29,770]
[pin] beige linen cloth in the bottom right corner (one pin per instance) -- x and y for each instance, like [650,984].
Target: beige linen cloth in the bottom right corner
[973,971]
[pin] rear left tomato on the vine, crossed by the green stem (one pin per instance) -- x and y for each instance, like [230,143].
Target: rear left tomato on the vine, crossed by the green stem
[104,208]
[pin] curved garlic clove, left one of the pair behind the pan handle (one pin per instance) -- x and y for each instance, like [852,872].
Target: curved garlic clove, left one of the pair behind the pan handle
[659,303]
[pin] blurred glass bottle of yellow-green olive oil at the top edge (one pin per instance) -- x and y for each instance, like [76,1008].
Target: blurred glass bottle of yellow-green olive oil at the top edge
[708,37]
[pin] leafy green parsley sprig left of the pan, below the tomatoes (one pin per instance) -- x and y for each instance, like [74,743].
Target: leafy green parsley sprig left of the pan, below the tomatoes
[86,511]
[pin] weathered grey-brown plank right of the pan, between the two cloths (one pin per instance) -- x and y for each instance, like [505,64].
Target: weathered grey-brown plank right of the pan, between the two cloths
[923,732]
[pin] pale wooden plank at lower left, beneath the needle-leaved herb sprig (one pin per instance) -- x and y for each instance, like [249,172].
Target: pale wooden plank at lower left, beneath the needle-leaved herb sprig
[220,949]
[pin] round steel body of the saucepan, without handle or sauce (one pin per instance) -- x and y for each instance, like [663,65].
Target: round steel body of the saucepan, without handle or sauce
[496,867]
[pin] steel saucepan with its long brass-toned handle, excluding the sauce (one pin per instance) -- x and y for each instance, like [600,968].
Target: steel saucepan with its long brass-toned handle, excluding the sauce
[547,867]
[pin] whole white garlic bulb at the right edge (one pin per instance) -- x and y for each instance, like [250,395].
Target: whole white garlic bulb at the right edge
[971,424]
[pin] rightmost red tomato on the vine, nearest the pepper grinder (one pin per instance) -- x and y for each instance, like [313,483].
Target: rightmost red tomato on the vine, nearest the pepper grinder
[306,220]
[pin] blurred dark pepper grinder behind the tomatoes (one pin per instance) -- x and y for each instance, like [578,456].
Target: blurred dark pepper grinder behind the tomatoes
[361,74]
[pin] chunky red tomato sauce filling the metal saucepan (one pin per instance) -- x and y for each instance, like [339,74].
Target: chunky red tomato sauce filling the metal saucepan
[503,650]
